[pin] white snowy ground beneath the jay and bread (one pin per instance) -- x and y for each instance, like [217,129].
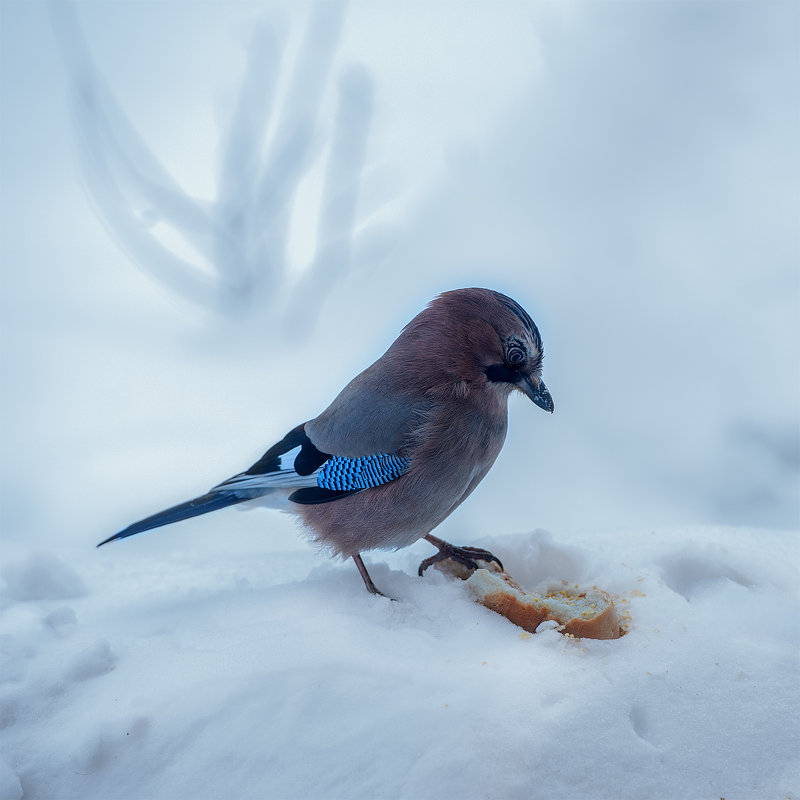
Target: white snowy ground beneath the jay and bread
[275,675]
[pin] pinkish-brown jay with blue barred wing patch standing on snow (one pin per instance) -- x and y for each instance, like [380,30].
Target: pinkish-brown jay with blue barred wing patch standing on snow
[405,442]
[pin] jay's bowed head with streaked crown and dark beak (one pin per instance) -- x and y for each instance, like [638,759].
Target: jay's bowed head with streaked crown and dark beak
[480,338]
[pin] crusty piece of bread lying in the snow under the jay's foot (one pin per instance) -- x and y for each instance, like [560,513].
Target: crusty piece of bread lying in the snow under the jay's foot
[582,614]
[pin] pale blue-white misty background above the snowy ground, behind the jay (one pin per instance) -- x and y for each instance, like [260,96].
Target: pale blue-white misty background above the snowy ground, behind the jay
[214,215]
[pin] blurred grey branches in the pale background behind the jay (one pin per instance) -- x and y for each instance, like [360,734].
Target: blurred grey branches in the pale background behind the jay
[242,233]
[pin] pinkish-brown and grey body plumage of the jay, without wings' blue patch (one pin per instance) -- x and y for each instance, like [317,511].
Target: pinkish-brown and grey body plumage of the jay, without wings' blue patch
[454,432]
